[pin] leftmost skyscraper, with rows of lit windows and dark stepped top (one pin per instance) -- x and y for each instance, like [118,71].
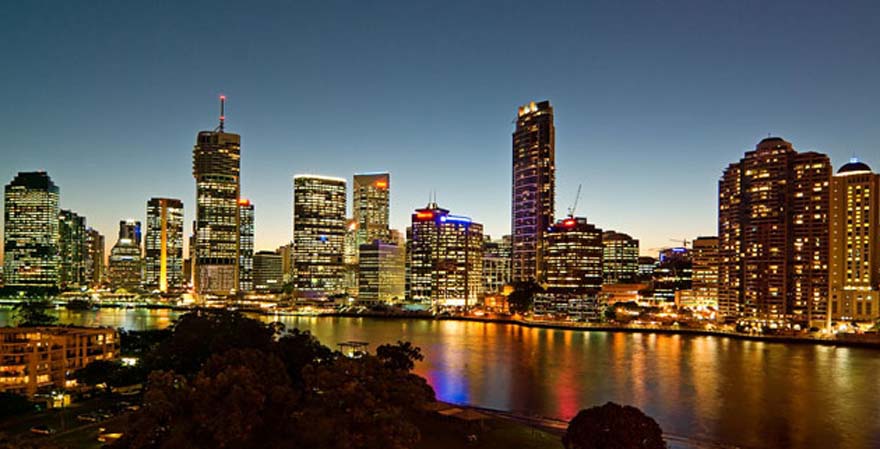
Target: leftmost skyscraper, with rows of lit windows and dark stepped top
[30,237]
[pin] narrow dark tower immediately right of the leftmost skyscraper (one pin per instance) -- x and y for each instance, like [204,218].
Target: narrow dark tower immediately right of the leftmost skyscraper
[72,249]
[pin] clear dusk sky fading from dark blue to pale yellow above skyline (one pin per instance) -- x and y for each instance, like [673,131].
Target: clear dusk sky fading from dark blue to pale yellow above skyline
[653,99]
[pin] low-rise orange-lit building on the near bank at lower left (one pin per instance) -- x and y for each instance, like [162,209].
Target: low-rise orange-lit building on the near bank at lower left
[42,358]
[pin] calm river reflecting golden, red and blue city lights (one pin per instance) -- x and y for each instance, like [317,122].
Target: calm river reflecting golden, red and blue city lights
[753,394]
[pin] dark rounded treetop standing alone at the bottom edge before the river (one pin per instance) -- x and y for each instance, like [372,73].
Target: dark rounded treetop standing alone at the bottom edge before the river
[613,426]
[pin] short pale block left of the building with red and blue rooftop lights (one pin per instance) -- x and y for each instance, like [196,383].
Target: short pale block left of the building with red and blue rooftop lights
[381,272]
